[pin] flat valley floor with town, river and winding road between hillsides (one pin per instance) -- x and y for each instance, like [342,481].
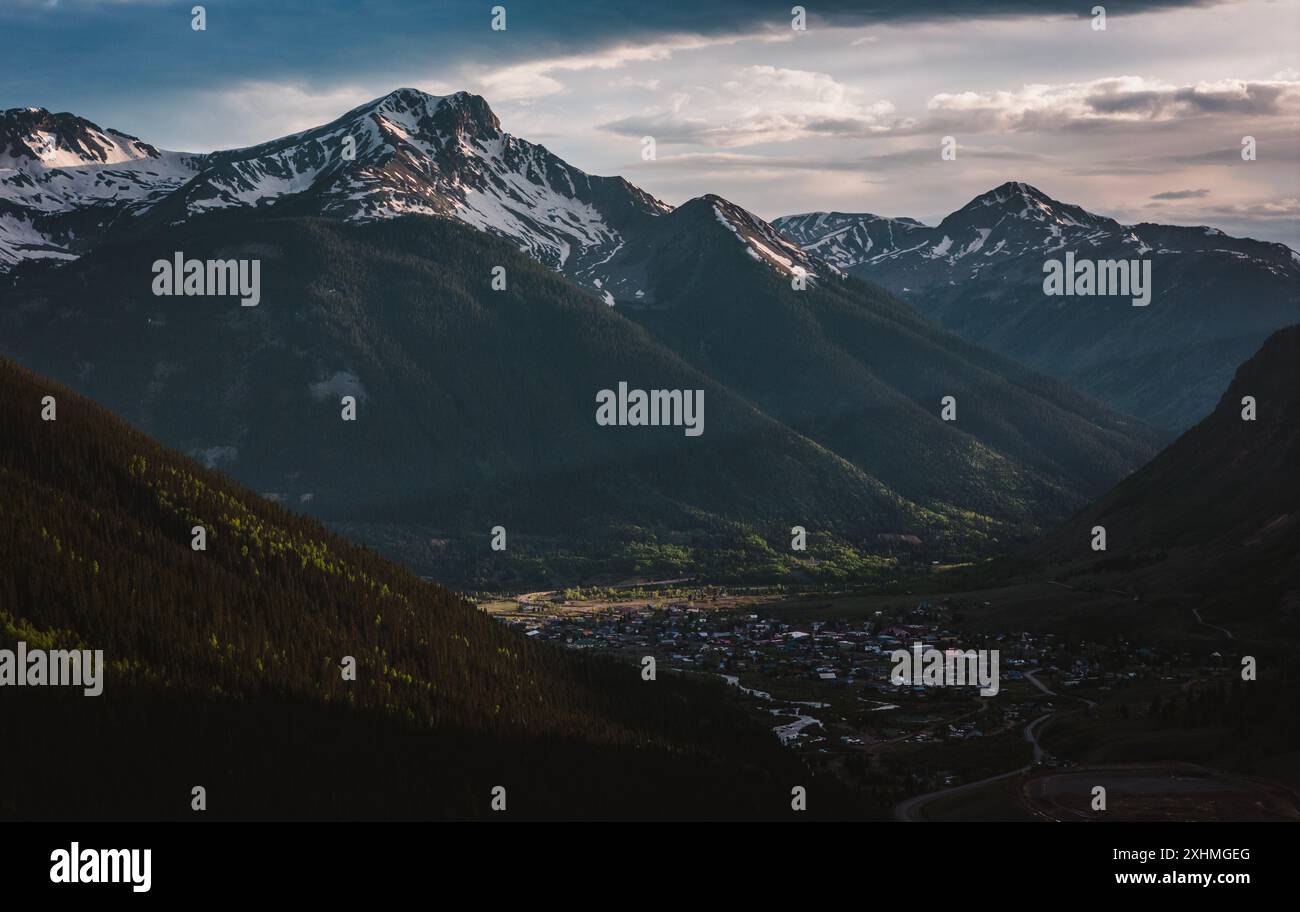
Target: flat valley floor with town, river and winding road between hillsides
[1081,703]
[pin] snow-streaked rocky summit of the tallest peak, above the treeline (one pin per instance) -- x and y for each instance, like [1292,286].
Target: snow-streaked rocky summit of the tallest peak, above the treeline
[413,153]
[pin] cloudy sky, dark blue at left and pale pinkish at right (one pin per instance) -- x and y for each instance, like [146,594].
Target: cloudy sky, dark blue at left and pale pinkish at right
[1141,121]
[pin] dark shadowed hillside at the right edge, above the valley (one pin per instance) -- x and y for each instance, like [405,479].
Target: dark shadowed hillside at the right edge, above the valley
[1215,519]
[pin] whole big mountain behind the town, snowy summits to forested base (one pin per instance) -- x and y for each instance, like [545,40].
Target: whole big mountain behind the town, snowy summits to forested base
[478,406]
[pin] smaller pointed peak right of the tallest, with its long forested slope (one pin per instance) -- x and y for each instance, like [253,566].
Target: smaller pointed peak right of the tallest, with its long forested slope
[853,368]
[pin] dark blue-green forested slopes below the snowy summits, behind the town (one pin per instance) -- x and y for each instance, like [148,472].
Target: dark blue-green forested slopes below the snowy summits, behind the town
[478,407]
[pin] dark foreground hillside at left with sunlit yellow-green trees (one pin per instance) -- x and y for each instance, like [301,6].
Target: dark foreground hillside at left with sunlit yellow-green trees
[236,652]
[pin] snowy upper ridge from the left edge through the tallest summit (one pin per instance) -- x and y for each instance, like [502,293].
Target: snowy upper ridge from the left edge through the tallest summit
[408,153]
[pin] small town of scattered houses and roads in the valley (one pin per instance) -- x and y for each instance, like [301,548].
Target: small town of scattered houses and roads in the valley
[824,687]
